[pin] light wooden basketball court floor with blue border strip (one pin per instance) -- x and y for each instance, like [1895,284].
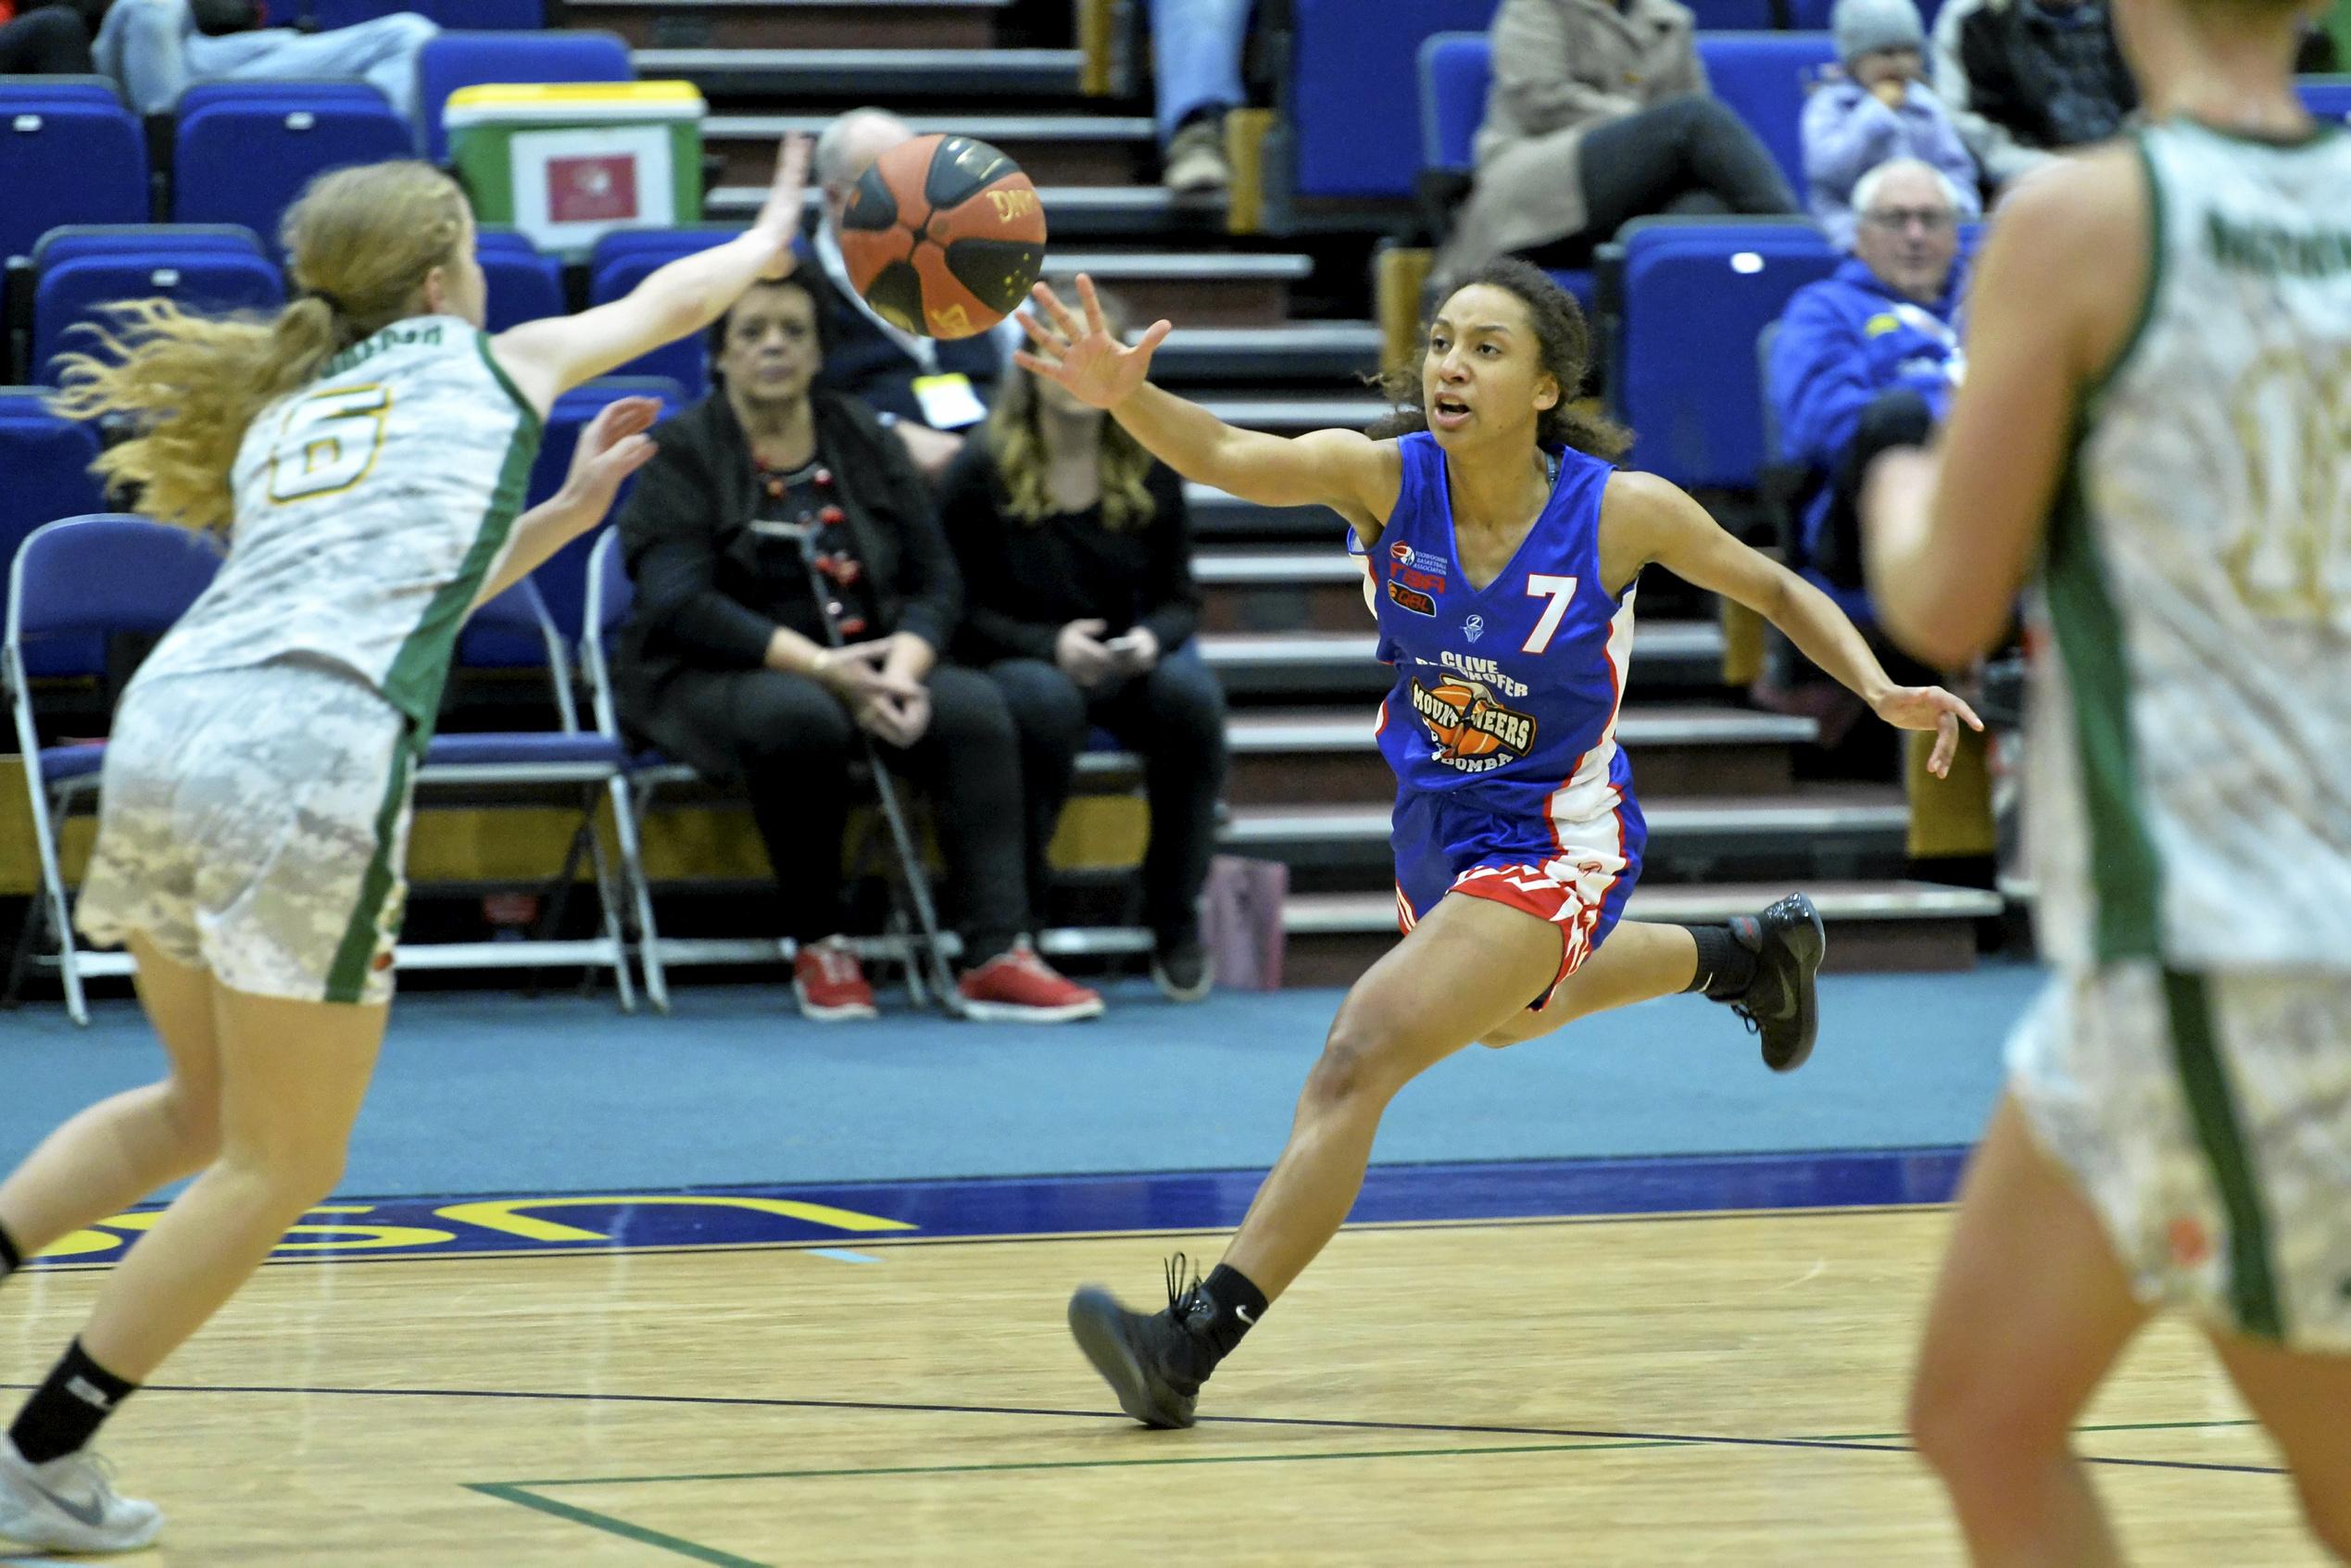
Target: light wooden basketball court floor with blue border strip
[1720,1386]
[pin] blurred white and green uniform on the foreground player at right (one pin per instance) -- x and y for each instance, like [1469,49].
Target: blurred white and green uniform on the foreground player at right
[2190,753]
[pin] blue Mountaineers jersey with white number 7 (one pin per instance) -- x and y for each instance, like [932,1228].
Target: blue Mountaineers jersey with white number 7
[1508,697]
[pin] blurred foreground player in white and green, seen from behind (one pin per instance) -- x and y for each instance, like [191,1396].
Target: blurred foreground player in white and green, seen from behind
[2159,410]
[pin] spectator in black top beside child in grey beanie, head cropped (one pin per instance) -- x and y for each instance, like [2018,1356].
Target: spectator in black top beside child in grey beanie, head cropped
[2030,79]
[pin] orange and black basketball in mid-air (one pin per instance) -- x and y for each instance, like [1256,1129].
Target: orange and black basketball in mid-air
[944,236]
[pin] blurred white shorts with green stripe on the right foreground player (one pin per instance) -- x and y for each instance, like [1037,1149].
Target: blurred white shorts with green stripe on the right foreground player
[2209,1120]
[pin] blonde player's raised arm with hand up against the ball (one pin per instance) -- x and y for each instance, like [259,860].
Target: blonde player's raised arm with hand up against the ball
[563,351]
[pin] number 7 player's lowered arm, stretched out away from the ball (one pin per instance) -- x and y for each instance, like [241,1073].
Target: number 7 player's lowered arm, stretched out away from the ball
[1649,521]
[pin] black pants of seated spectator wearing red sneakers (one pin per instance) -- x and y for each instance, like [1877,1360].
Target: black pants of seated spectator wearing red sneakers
[793,742]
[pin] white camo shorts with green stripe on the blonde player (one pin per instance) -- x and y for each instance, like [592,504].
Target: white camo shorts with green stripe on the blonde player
[255,824]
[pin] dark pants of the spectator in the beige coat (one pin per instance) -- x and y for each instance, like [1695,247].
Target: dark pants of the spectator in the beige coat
[1689,154]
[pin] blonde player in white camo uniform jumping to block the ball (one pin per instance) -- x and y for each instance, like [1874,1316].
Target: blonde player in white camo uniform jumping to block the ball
[366,453]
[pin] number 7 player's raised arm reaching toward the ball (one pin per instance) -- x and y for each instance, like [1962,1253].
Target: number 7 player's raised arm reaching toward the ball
[1341,469]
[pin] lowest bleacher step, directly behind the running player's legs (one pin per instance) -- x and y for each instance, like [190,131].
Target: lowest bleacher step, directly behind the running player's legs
[1873,925]
